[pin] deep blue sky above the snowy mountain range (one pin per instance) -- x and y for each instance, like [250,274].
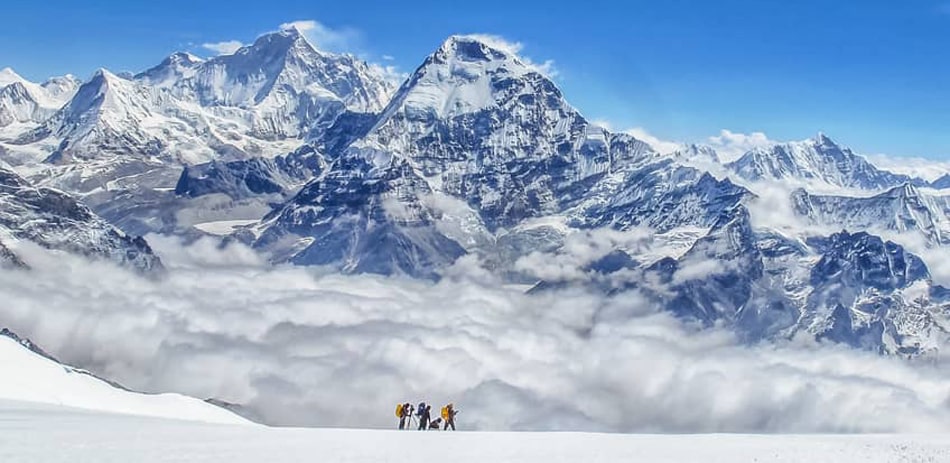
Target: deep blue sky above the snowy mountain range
[874,74]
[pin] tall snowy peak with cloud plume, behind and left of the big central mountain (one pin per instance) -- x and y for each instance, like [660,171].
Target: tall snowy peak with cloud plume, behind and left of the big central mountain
[282,74]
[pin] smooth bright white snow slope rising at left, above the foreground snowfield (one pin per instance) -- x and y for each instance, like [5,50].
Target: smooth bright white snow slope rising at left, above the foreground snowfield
[31,377]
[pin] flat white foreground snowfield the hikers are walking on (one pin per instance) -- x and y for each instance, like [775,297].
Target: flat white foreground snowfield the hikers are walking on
[42,433]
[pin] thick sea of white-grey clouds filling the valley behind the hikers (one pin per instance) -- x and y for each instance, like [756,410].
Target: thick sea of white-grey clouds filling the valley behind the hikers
[302,348]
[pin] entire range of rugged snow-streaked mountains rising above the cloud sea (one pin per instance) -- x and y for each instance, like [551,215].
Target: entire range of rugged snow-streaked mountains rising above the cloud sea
[316,158]
